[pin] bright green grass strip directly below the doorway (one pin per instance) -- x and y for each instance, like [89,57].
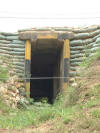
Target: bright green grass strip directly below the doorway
[33,115]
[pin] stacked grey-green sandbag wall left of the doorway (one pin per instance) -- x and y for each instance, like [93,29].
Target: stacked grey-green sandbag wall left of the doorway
[14,50]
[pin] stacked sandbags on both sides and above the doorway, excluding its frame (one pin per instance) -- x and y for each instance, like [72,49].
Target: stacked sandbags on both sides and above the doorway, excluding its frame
[85,43]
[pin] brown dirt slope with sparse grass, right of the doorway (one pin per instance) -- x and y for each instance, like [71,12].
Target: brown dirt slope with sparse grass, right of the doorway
[84,101]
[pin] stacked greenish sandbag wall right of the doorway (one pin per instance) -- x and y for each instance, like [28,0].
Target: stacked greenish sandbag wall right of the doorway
[85,43]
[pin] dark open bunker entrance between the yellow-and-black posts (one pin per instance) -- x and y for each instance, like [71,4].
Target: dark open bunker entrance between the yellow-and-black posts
[46,67]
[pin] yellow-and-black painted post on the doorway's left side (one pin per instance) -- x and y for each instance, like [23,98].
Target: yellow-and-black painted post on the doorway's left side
[27,67]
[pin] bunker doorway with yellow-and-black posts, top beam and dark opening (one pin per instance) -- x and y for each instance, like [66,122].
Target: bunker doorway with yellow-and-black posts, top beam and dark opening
[47,56]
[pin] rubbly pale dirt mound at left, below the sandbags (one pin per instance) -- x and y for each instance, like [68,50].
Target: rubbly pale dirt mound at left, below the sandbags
[11,87]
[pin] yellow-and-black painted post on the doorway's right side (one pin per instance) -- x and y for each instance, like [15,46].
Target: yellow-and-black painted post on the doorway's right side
[66,63]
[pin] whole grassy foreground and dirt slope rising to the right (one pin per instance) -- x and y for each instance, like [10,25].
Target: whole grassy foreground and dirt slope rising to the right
[77,111]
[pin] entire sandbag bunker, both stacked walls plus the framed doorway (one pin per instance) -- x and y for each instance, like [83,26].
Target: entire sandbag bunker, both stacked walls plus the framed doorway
[46,57]
